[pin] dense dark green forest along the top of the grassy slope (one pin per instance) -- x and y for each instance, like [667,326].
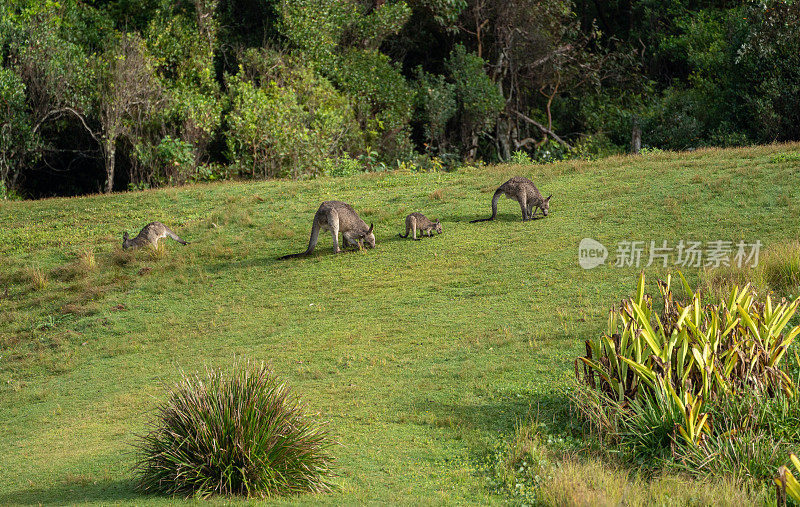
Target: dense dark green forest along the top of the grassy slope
[102,95]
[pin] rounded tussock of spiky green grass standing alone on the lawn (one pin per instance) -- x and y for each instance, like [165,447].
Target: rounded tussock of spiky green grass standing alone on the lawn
[241,433]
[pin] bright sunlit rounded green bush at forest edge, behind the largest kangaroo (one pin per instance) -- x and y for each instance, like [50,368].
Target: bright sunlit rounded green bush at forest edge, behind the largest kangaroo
[288,122]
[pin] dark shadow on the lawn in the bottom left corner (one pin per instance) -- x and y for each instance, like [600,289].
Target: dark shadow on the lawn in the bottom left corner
[100,491]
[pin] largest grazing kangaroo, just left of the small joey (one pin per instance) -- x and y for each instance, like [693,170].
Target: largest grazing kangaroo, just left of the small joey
[338,216]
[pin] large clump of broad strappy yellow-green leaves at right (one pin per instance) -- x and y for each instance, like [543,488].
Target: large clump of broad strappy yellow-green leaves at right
[700,387]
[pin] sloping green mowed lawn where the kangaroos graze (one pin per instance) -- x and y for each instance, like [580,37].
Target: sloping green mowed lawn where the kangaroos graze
[420,354]
